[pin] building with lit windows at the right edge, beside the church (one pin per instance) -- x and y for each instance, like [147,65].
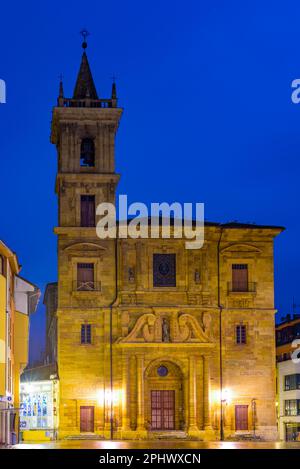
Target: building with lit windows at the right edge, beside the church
[288,377]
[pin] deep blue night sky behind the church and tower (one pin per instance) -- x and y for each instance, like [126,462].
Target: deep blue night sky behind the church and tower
[206,88]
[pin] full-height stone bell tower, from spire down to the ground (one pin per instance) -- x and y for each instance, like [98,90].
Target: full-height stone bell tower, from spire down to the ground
[84,129]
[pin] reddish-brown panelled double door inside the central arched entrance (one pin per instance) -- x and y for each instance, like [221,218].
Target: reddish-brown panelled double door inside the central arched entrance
[163,410]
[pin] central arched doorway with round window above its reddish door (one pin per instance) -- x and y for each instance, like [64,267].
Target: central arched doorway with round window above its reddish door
[164,396]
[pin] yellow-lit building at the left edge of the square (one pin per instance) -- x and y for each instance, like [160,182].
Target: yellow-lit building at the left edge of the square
[18,299]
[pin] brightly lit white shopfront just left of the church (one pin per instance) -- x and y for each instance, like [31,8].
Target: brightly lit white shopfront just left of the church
[36,405]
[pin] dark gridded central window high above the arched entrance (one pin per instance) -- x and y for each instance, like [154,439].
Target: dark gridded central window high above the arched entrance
[164,270]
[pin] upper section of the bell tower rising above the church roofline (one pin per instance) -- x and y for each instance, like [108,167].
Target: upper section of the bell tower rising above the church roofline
[83,130]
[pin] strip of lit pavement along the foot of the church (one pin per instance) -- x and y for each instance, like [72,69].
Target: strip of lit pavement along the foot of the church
[98,444]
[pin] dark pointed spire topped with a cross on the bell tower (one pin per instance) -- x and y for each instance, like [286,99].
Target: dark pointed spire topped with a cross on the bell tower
[85,86]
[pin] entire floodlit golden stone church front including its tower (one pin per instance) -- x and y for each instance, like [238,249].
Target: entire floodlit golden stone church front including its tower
[189,329]
